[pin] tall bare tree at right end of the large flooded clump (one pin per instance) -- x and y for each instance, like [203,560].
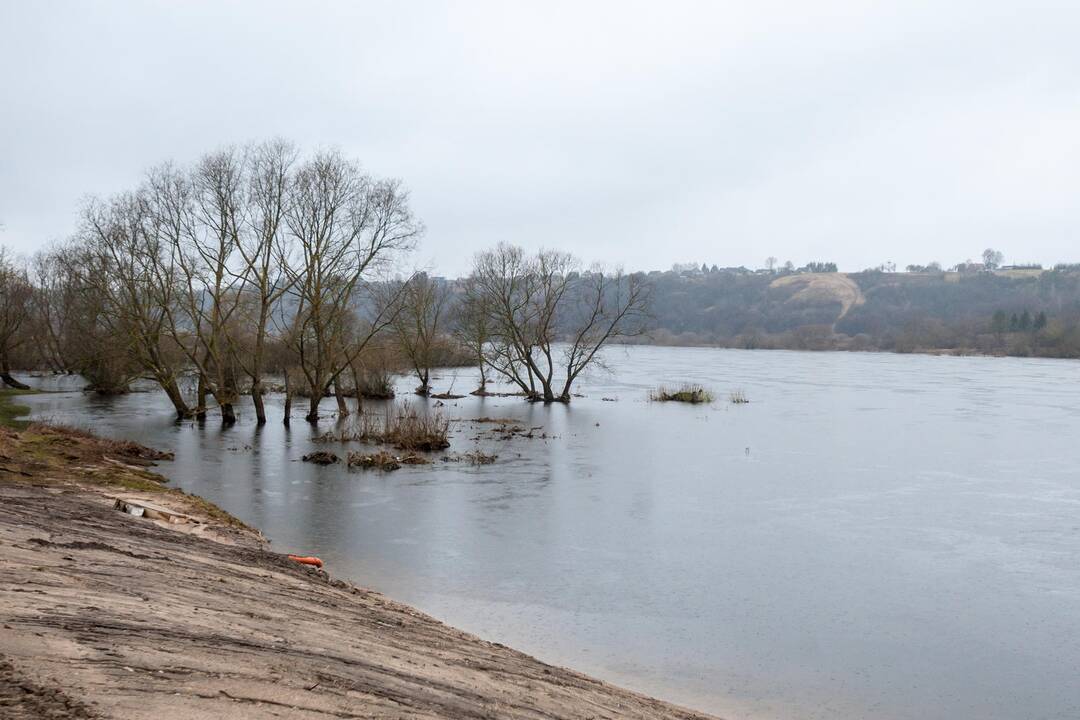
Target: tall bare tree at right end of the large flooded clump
[346,226]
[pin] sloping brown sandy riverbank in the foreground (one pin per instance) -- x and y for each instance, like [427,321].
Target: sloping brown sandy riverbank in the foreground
[106,615]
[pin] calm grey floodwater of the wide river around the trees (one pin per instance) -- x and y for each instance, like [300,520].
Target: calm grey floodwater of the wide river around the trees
[874,536]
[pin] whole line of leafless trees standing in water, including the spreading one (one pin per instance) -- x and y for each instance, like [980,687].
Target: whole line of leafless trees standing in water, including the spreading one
[261,261]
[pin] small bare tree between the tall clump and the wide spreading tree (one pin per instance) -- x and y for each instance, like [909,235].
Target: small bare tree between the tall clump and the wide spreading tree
[417,325]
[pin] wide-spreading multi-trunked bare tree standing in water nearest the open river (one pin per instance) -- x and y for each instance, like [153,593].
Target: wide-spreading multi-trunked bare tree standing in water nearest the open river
[550,322]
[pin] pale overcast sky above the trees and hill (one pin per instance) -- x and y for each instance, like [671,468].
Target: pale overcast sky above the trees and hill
[636,134]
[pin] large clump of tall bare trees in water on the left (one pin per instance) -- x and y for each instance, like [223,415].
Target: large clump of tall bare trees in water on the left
[247,263]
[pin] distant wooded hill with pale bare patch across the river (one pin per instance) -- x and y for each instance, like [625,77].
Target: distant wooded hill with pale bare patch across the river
[1017,313]
